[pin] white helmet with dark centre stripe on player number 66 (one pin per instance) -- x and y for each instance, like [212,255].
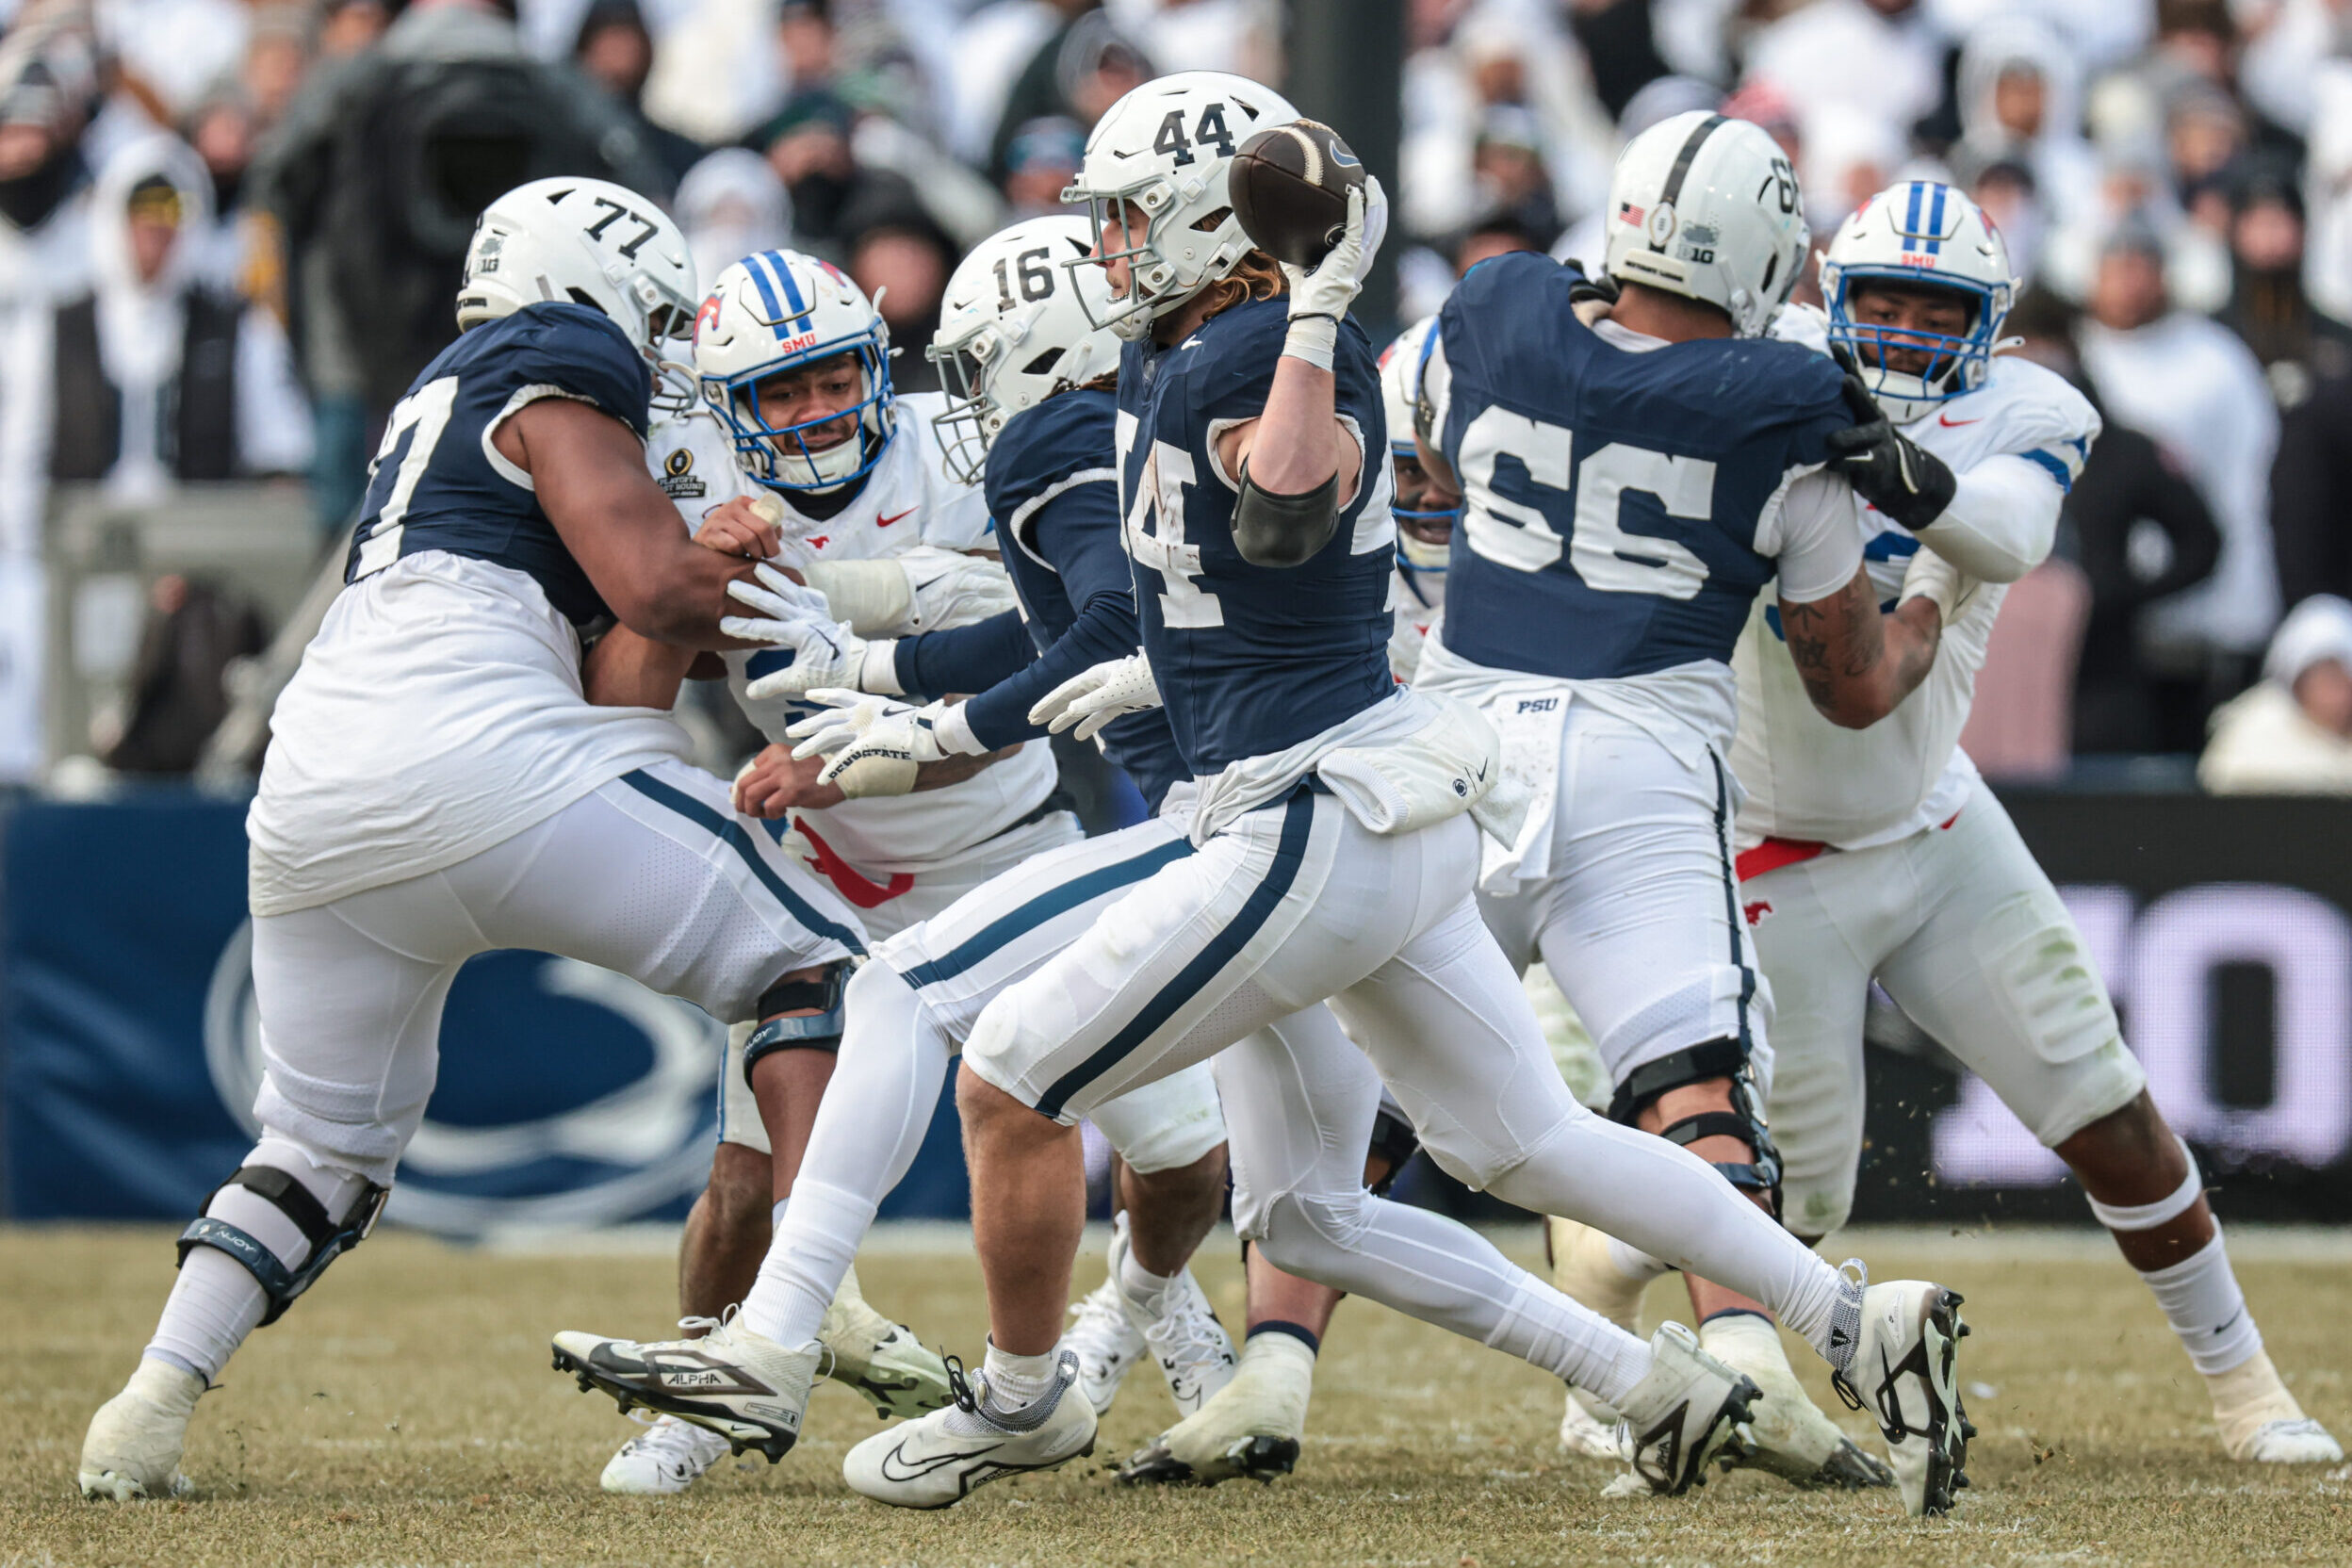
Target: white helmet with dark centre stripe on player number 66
[1709,208]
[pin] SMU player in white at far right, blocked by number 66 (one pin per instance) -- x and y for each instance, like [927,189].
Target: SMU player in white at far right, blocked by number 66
[1880,857]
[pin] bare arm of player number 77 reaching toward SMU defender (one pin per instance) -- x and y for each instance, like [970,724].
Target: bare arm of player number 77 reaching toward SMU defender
[589,471]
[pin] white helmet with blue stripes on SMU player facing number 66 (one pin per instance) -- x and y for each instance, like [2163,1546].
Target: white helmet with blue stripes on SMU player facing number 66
[1920,234]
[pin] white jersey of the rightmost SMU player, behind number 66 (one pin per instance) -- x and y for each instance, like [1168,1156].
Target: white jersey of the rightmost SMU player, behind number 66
[1810,779]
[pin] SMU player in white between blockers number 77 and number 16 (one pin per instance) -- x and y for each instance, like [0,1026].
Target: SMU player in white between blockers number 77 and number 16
[801,408]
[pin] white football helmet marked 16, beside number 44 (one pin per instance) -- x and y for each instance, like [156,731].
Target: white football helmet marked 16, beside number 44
[1015,328]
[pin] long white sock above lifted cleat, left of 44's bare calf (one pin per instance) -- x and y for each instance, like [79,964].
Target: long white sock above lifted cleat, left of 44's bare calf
[869,1130]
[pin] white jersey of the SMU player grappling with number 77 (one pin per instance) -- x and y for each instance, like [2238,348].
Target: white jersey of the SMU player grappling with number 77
[909,504]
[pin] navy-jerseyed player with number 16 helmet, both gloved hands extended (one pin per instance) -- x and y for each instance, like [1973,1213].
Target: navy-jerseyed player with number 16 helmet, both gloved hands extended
[1022,361]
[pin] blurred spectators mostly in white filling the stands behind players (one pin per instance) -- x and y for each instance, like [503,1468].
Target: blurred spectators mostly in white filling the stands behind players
[229,232]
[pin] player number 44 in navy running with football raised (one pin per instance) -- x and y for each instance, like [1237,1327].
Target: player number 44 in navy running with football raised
[1328,857]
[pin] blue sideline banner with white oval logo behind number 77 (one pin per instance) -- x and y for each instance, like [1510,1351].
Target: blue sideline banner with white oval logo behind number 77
[131,1050]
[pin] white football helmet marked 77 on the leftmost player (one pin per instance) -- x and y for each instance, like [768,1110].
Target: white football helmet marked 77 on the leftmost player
[584,241]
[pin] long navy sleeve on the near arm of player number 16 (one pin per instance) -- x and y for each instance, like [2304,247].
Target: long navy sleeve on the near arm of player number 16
[1081,535]
